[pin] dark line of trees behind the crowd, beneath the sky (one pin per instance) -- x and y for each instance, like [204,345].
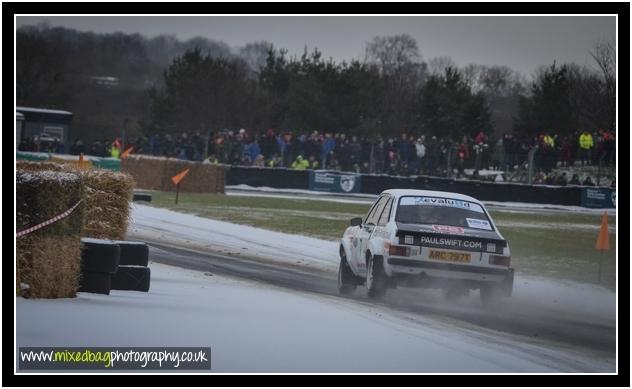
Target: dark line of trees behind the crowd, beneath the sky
[166,85]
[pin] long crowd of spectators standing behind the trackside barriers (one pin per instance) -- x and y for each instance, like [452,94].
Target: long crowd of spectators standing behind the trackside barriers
[408,154]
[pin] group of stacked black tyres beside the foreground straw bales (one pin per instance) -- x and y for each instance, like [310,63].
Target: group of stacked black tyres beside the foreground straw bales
[114,265]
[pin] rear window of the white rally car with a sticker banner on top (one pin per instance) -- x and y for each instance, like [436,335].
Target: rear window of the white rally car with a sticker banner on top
[442,210]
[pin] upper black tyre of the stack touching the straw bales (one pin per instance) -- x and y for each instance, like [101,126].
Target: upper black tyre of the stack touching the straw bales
[99,256]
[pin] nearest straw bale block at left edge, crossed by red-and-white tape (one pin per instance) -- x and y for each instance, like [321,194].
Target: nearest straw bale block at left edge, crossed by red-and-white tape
[48,259]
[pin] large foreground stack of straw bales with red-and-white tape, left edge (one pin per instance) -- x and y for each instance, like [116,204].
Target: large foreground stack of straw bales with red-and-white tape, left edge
[103,213]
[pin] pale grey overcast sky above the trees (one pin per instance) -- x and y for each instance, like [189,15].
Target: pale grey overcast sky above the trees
[523,43]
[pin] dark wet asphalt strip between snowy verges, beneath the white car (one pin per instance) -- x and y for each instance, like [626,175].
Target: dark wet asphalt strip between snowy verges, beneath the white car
[537,324]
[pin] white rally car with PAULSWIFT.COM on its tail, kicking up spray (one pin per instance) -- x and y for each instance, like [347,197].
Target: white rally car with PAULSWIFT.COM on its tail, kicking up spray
[430,239]
